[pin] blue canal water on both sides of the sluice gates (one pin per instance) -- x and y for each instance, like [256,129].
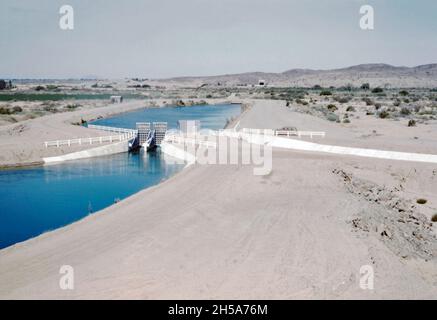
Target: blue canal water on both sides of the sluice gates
[36,200]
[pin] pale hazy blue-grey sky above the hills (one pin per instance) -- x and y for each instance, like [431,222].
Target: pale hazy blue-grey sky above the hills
[167,38]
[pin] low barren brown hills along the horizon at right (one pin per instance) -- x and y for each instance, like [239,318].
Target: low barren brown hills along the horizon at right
[376,74]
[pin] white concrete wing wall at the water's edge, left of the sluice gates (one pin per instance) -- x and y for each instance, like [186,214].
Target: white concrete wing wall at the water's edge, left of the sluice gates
[113,148]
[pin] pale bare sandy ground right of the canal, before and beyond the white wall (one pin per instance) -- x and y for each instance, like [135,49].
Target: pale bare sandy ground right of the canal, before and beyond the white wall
[303,231]
